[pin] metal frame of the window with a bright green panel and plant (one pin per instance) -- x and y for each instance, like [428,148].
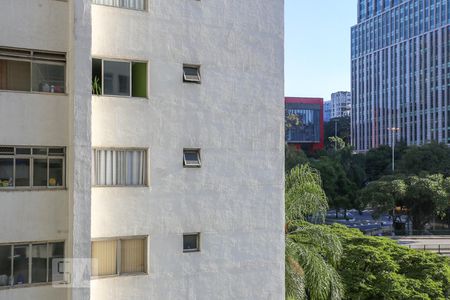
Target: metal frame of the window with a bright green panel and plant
[130,83]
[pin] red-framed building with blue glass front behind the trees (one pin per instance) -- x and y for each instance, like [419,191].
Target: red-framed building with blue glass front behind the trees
[309,134]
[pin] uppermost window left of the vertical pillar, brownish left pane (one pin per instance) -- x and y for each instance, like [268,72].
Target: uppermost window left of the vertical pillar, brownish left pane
[30,70]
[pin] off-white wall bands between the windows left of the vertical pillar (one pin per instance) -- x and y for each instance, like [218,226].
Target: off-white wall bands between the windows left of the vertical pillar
[34,119]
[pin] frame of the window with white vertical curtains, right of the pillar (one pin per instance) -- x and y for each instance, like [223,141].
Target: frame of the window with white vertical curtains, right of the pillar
[94,166]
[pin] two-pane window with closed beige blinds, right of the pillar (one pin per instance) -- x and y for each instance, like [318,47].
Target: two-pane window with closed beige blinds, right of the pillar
[119,256]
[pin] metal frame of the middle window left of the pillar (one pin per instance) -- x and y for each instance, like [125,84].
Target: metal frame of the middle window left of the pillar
[31,157]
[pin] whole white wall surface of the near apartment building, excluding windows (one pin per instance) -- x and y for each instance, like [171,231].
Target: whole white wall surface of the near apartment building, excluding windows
[235,116]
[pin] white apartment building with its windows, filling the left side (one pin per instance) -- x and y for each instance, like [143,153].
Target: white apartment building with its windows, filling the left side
[149,136]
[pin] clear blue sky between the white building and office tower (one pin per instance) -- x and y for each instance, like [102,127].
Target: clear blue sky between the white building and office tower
[317,46]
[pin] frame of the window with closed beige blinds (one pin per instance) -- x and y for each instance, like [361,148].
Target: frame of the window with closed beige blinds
[119,240]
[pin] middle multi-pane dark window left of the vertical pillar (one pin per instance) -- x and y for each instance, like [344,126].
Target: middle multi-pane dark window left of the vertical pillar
[32,167]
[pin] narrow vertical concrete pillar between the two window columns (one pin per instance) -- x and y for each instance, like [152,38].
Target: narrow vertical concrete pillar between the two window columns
[79,158]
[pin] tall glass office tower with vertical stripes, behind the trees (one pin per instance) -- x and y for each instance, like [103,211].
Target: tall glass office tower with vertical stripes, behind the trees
[400,72]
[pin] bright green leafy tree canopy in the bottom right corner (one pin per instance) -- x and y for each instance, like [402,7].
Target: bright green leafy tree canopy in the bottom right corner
[379,268]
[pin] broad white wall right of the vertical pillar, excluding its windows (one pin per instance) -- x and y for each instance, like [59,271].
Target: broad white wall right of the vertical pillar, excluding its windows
[235,116]
